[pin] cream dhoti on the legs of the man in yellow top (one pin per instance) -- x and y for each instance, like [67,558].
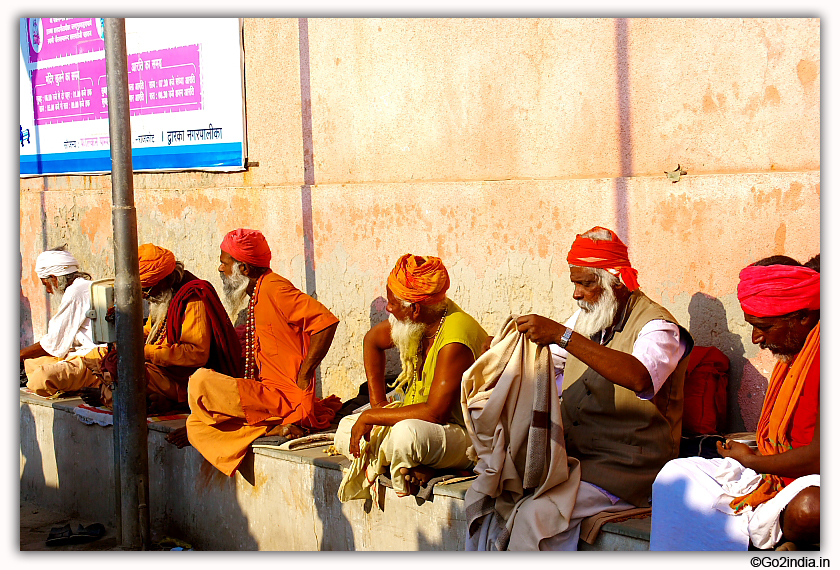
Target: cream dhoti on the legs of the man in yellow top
[407,443]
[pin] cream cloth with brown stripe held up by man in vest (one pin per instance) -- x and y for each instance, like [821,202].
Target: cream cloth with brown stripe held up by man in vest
[526,486]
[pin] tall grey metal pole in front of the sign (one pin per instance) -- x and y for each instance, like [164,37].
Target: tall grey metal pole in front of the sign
[130,429]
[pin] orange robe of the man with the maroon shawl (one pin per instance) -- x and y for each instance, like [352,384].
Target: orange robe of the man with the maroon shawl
[169,366]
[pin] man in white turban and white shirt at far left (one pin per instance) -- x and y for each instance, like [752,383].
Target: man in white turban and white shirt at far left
[64,359]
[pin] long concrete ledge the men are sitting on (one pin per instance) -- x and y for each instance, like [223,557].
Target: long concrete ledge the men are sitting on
[280,500]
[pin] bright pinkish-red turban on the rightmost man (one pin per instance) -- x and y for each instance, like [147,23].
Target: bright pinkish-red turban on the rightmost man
[774,290]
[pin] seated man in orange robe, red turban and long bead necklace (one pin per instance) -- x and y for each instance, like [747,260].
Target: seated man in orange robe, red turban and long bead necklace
[288,334]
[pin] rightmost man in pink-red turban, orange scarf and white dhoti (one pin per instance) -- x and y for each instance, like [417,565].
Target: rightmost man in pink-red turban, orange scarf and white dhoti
[774,493]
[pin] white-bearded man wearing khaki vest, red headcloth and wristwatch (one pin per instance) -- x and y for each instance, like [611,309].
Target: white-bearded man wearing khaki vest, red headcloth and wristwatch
[620,364]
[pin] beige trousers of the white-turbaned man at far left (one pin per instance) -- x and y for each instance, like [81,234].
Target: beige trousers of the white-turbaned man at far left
[49,375]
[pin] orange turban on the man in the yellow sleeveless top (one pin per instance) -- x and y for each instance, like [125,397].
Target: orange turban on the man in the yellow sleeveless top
[419,279]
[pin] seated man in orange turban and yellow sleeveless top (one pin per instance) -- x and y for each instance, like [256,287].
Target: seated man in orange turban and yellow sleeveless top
[422,430]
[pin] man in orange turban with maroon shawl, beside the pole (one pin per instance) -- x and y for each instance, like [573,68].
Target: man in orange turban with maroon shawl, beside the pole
[187,329]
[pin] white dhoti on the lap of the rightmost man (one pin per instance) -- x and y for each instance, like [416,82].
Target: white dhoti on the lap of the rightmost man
[691,507]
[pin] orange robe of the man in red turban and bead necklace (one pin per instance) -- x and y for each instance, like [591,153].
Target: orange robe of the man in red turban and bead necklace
[228,414]
